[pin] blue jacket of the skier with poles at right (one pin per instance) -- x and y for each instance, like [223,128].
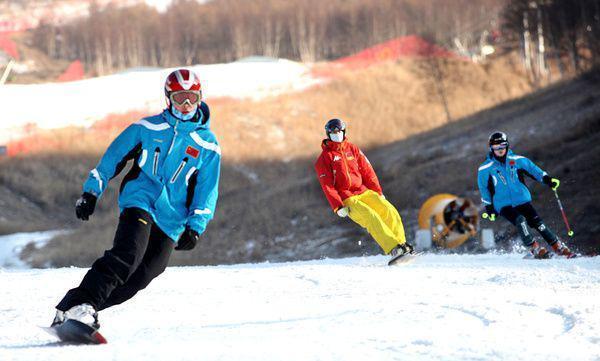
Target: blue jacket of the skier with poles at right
[503,184]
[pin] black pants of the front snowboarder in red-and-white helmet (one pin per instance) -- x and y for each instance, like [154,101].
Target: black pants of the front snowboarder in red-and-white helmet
[140,252]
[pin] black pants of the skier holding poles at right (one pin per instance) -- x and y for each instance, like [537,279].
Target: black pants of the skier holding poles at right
[523,215]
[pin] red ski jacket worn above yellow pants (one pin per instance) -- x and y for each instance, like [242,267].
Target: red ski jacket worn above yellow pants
[344,171]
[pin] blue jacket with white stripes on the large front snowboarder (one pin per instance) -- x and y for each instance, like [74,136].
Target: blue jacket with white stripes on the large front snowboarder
[175,174]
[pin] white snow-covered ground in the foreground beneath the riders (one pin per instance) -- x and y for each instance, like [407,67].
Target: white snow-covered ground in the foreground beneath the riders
[441,307]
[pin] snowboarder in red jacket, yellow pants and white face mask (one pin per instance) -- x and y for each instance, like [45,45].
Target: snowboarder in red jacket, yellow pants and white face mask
[352,189]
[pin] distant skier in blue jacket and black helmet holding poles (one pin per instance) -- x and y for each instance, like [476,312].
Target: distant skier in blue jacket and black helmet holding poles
[501,181]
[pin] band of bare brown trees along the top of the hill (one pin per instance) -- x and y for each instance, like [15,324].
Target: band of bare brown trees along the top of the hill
[190,32]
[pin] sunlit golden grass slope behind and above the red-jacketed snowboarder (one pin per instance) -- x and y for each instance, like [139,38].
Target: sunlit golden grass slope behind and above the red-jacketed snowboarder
[382,104]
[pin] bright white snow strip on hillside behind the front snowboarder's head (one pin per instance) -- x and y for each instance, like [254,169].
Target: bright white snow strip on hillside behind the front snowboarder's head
[80,103]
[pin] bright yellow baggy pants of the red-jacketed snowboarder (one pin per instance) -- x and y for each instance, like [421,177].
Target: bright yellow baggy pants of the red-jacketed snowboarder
[379,217]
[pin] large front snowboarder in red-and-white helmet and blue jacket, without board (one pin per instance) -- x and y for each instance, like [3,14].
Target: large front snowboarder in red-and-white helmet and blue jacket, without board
[166,200]
